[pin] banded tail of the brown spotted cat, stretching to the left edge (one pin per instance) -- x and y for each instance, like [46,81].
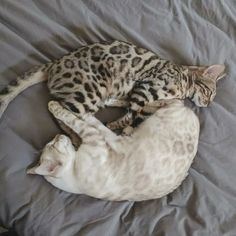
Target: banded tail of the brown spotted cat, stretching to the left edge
[36,75]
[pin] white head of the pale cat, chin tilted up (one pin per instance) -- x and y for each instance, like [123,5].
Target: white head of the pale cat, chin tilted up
[56,156]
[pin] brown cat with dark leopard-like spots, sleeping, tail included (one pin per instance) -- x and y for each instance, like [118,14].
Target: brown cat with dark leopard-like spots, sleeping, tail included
[83,80]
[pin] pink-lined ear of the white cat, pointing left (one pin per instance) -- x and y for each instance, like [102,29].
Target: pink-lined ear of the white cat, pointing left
[48,168]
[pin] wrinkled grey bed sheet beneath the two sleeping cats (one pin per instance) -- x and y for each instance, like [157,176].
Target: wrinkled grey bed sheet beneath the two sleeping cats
[187,32]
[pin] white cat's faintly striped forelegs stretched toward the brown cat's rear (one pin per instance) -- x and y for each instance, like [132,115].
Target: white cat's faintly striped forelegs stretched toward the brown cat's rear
[87,127]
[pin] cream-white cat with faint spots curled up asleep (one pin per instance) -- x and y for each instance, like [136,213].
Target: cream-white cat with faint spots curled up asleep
[149,164]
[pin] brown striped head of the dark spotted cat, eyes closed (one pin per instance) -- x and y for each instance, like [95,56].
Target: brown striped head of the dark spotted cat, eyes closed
[202,82]
